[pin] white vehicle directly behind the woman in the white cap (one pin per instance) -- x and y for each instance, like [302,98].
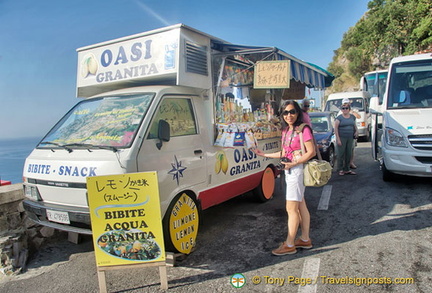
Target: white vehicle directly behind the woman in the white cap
[360,103]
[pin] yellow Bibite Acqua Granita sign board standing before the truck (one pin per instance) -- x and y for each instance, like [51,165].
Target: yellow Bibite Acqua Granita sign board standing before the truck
[126,219]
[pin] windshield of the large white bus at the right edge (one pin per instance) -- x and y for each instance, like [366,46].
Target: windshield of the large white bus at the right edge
[410,85]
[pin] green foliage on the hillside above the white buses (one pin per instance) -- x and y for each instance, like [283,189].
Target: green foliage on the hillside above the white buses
[388,29]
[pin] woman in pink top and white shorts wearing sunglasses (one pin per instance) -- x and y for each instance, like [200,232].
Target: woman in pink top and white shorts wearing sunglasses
[298,213]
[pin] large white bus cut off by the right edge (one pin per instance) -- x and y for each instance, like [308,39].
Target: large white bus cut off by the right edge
[405,146]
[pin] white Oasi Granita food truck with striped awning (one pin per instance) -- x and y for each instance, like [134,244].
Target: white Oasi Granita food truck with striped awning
[176,101]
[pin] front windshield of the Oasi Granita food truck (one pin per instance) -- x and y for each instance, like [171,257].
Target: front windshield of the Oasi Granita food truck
[102,122]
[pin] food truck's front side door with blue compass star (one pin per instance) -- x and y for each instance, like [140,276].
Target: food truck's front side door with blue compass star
[181,161]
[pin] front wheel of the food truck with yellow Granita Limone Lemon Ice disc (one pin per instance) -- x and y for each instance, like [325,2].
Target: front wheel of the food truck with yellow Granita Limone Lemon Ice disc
[187,199]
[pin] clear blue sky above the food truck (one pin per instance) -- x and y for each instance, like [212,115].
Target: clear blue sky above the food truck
[38,42]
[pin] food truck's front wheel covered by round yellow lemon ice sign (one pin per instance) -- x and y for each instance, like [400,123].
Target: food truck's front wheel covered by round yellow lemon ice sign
[180,224]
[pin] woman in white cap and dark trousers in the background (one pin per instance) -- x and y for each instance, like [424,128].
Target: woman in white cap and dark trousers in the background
[346,132]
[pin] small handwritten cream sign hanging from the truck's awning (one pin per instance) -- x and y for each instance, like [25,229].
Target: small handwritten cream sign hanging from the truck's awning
[272,74]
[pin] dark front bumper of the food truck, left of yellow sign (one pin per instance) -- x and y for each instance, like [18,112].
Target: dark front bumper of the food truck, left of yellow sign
[79,217]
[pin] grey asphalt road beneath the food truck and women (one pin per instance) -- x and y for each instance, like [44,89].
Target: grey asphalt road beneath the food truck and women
[363,230]
